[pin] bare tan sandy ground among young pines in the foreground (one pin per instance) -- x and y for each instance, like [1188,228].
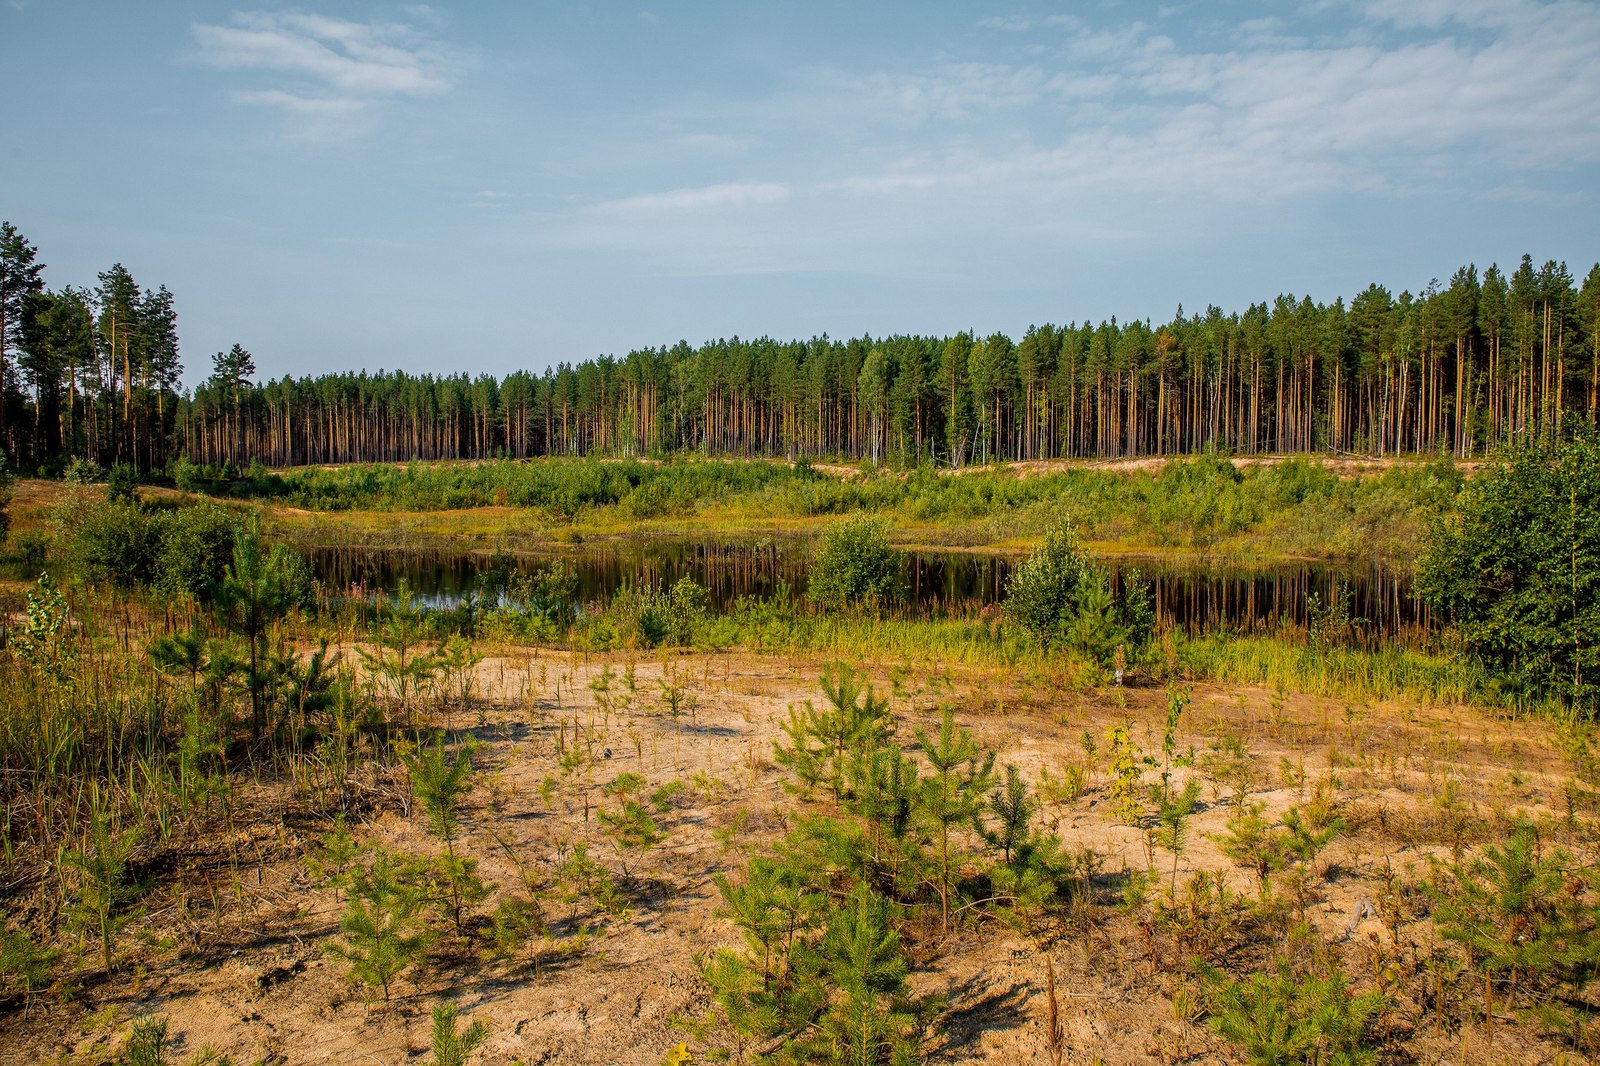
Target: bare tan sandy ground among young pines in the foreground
[242,964]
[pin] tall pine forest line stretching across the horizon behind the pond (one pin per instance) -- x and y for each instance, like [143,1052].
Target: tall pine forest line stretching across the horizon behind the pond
[1463,367]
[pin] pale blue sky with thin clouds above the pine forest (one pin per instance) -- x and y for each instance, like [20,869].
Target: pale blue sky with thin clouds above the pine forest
[497,186]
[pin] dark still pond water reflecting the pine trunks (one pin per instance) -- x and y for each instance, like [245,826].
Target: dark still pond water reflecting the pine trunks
[1191,596]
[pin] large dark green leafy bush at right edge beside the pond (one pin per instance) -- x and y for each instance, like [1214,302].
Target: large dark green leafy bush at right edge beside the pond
[1518,571]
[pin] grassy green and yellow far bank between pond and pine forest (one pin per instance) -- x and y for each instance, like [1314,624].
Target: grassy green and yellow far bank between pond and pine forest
[1294,510]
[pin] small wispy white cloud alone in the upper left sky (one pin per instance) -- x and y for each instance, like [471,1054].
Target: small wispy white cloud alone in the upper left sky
[330,68]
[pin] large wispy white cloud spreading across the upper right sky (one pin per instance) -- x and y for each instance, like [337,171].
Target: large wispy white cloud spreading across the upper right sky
[1124,135]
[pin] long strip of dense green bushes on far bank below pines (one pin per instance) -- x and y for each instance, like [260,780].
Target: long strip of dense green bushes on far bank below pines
[1297,507]
